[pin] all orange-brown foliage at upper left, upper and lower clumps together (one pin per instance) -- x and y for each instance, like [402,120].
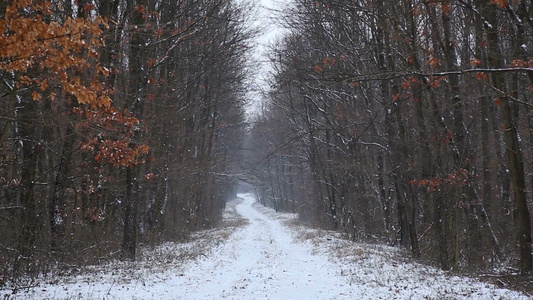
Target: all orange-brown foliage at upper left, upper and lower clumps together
[43,53]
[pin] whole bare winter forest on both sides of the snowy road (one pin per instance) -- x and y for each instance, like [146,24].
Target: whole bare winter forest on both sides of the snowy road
[129,123]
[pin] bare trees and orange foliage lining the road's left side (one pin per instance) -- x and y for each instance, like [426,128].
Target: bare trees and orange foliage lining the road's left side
[118,120]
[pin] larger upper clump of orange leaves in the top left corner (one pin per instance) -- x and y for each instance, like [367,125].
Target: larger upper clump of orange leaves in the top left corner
[56,49]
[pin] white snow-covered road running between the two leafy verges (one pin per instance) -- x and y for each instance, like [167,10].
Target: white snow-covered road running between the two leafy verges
[263,262]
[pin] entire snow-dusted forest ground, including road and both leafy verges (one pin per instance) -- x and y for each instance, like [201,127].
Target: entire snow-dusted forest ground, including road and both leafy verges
[260,254]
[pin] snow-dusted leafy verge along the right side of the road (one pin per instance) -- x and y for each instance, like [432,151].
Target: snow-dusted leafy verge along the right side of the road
[340,247]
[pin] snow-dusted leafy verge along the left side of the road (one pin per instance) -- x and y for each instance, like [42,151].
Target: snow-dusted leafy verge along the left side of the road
[152,262]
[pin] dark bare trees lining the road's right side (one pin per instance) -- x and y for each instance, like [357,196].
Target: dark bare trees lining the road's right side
[405,122]
